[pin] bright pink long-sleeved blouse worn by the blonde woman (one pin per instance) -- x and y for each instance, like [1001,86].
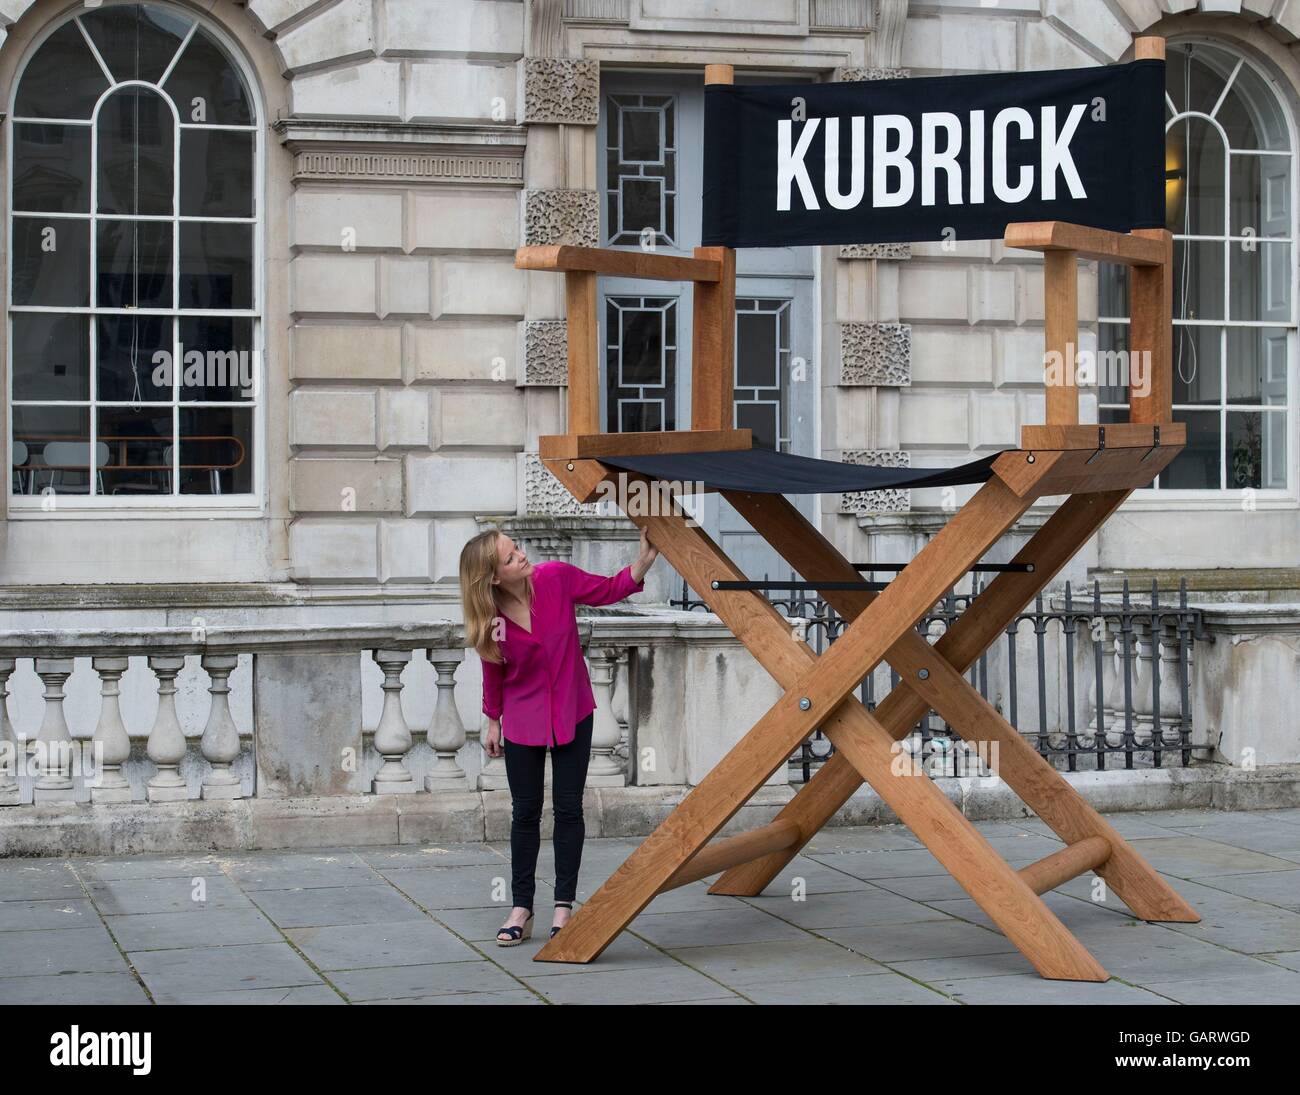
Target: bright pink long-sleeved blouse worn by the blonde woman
[543,691]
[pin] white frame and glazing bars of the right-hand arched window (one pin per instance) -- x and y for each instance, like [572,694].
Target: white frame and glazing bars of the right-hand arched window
[1233,499]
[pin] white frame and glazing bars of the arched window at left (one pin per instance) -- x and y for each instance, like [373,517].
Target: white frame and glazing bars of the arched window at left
[76,507]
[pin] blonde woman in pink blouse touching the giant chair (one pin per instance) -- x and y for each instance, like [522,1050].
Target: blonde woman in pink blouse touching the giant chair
[538,695]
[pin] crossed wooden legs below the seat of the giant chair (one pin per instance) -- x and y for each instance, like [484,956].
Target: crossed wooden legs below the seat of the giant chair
[820,694]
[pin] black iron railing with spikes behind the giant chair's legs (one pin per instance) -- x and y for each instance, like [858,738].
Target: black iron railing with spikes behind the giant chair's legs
[1094,685]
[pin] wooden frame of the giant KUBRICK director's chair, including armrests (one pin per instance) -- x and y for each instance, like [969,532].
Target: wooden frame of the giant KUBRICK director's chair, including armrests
[1097,466]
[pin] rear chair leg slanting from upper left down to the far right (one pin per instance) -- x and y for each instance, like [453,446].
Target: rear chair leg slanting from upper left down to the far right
[943,689]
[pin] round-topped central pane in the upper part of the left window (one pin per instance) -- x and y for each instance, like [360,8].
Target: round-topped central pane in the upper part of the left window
[136,157]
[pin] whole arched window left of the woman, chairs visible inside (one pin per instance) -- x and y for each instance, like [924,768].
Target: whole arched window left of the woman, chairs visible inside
[135,280]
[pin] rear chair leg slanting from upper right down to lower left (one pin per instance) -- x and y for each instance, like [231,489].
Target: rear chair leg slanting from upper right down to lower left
[1050,549]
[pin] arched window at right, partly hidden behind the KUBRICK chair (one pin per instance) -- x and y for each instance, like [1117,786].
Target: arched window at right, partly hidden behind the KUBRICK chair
[1230,179]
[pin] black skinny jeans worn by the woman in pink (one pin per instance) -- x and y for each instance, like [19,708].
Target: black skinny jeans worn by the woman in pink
[526,772]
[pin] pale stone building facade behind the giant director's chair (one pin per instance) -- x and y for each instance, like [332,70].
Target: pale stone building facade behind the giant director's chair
[398,153]
